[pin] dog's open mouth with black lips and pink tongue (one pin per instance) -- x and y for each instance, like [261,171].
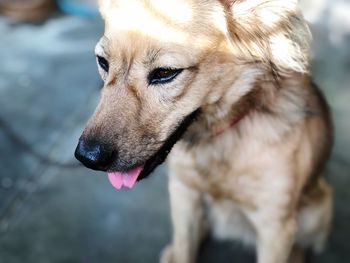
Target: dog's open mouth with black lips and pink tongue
[128,179]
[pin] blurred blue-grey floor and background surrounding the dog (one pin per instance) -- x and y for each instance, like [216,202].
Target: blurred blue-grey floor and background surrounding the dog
[53,210]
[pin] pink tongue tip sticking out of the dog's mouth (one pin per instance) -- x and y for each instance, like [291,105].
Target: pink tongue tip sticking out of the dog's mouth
[127,179]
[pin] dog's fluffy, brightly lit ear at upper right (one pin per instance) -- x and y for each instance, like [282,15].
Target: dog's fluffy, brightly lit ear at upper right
[270,31]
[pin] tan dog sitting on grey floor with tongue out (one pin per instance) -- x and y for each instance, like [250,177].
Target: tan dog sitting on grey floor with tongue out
[222,90]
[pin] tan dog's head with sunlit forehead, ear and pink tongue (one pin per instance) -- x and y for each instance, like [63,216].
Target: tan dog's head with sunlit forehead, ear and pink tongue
[164,62]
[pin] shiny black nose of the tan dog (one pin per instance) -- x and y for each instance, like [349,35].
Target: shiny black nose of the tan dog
[94,155]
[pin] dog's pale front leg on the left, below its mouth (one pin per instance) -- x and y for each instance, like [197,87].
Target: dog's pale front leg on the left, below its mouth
[187,219]
